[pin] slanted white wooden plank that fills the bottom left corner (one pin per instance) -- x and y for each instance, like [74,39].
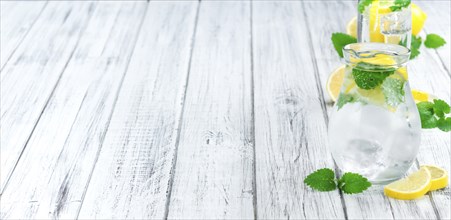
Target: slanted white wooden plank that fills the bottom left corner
[61,153]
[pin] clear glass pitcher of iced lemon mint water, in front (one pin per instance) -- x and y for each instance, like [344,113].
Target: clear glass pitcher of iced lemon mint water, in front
[374,127]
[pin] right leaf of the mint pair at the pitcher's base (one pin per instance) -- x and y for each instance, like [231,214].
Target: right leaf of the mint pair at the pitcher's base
[351,183]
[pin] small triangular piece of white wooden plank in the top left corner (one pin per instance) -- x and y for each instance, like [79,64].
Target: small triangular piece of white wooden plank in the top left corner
[16,19]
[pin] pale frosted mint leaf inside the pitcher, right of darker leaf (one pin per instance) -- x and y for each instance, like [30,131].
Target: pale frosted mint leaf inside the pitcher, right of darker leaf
[393,90]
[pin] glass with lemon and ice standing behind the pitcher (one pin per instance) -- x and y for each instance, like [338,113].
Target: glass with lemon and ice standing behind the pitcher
[384,21]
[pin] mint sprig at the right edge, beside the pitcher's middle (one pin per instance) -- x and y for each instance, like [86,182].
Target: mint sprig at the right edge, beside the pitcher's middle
[435,115]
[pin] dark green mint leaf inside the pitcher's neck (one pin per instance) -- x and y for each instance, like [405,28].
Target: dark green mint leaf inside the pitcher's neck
[369,76]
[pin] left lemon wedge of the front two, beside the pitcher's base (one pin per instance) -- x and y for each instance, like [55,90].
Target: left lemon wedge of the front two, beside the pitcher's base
[413,186]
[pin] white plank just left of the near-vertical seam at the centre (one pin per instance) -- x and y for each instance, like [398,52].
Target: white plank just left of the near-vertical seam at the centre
[214,172]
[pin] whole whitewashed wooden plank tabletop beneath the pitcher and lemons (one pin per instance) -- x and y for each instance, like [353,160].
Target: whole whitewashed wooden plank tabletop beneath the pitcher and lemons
[186,109]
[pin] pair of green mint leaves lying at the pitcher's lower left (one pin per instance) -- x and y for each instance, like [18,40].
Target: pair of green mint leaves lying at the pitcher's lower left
[324,180]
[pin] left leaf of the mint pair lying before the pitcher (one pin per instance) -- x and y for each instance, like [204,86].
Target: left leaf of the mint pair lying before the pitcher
[321,180]
